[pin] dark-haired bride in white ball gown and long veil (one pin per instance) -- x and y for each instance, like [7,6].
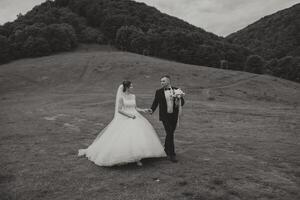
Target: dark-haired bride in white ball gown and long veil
[129,137]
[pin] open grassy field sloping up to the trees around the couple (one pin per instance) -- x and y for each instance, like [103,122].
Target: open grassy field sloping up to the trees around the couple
[238,138]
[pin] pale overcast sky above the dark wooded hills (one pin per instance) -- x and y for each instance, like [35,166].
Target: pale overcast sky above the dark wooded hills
[221,17]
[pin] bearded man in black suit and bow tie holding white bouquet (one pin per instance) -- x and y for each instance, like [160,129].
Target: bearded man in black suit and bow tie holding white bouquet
[168,113]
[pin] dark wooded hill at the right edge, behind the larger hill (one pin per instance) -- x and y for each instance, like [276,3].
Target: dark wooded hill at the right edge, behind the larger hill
[276,39]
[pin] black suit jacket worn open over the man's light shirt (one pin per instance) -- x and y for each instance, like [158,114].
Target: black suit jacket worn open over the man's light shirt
[160,100]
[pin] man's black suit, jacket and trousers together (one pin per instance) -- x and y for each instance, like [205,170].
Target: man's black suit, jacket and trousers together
[169,120]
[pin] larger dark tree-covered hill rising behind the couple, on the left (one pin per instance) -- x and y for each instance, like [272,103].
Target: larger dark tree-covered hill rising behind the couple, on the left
[60,25]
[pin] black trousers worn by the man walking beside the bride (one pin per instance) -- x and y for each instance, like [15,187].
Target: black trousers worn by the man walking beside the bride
[170,123]
